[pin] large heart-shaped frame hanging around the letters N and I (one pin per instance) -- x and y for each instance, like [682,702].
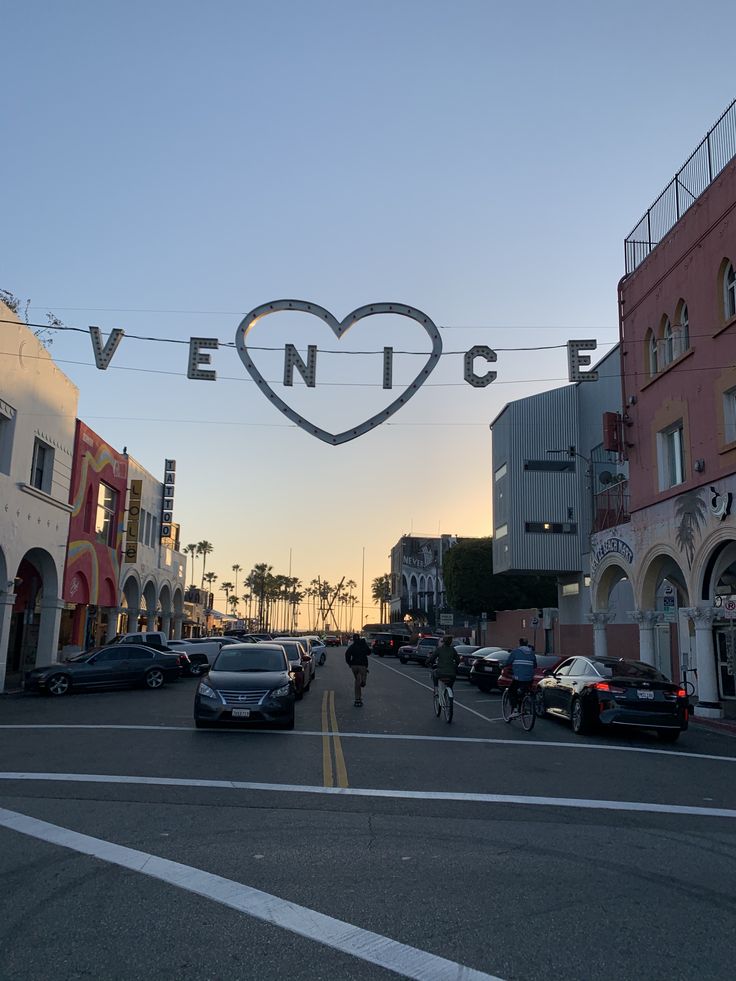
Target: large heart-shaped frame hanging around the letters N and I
[339,328]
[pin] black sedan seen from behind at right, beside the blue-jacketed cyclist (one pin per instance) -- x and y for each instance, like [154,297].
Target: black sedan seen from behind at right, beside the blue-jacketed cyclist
[612,691]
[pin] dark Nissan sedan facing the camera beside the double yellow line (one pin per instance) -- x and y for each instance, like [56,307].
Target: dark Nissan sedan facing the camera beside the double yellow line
[247,683]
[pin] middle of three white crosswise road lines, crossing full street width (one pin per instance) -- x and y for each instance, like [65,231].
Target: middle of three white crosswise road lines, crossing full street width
[580,803]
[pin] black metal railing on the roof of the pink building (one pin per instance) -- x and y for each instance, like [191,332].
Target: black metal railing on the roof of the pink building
[703,165]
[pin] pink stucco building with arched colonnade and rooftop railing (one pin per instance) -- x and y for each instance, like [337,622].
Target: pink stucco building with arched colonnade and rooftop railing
[677,308]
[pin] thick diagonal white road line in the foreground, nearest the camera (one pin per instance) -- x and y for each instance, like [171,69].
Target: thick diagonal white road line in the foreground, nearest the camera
[406,961]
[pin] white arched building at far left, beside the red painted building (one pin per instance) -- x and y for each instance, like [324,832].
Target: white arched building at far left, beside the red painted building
[38,409]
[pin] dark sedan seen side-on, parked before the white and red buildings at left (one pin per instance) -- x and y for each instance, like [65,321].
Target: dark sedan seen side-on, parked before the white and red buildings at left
[115,666]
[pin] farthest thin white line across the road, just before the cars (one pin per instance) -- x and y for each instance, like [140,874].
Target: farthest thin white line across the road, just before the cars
[527,743]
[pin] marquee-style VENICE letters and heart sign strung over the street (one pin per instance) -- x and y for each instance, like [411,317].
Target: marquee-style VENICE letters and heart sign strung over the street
[200,360]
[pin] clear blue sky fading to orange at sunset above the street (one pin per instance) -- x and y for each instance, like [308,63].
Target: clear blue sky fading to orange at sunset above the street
[169,166]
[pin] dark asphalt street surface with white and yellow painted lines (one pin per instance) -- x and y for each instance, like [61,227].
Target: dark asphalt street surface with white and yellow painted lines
[369,843]
